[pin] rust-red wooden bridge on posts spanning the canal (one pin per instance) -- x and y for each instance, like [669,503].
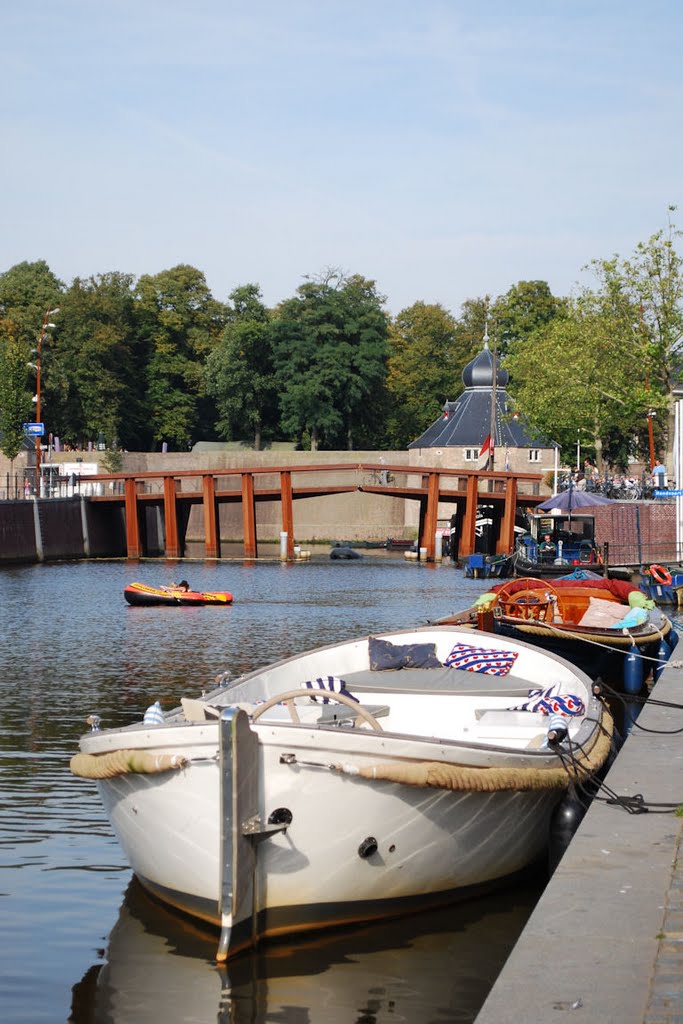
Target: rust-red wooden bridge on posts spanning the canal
[177,492]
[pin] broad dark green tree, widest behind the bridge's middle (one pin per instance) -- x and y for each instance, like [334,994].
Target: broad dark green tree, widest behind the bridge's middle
[330,353]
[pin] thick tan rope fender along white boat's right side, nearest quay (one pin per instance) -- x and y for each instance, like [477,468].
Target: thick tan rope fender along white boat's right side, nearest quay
[460,779]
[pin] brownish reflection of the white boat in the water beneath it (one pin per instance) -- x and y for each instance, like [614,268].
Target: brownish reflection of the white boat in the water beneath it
[438,966]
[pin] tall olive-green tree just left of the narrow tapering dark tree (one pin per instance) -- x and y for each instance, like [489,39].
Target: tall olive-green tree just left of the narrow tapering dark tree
[181,323]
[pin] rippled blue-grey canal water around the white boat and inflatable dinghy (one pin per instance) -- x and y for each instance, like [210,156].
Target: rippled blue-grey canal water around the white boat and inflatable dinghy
[79,941]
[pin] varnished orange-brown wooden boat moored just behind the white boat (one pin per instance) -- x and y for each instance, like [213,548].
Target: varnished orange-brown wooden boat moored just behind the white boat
[583,621]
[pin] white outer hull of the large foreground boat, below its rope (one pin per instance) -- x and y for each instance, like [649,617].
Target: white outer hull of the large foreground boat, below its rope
[431,844]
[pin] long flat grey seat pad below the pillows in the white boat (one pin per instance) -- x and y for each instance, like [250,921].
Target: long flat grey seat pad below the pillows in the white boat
[436,681]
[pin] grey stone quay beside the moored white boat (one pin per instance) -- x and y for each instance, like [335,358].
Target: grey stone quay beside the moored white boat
[606,941]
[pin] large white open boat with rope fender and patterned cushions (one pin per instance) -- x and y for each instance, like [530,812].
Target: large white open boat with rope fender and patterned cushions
[271,806]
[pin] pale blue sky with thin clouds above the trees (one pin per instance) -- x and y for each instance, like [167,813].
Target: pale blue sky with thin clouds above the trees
[446,150]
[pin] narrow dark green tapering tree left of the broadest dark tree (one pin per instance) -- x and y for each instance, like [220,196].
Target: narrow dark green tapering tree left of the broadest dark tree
[241,373]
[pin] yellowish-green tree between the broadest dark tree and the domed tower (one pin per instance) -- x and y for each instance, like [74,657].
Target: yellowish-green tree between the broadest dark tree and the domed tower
[424,371]
